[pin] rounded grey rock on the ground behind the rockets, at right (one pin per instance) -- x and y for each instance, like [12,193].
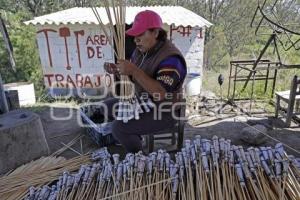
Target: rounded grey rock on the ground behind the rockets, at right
[253,136]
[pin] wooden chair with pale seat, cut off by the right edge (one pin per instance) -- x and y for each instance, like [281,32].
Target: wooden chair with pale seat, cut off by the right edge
[292,98]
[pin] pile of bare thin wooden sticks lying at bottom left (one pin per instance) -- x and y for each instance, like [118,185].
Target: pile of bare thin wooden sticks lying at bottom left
[14,186]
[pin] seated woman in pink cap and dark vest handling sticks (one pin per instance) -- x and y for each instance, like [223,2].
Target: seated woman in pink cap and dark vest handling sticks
[157,69]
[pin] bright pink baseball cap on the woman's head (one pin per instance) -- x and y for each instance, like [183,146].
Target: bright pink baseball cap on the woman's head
[143,21]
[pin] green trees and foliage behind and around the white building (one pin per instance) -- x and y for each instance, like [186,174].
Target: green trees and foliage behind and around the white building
[230,37]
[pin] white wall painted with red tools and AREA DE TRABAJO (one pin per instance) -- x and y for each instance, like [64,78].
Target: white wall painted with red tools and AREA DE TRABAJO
[74,61]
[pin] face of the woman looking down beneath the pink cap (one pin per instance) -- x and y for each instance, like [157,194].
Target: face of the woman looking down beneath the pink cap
[146,40]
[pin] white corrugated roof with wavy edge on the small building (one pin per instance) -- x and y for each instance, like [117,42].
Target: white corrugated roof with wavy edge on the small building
[175,15]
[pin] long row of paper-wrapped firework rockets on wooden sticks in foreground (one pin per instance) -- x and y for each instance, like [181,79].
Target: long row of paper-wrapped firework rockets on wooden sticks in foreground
[203,169]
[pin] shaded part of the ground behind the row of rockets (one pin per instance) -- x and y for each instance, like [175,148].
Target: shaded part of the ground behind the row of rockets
[61,126]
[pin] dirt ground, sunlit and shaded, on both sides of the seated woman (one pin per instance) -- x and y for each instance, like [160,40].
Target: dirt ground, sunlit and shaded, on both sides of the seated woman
[205,118]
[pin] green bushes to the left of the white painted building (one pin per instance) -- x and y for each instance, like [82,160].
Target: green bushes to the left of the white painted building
[25,53]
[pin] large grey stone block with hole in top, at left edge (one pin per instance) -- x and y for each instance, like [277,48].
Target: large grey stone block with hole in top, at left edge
[22,139]
